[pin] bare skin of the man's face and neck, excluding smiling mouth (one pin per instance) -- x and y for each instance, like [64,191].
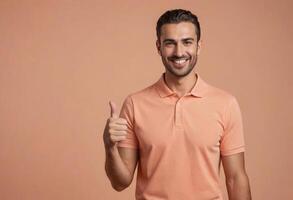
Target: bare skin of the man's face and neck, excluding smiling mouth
[179,41]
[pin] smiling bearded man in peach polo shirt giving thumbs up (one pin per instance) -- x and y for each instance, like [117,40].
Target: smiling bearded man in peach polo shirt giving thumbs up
[179,129]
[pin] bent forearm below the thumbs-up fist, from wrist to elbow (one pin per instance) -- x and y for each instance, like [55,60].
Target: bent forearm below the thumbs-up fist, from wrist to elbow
[116,170]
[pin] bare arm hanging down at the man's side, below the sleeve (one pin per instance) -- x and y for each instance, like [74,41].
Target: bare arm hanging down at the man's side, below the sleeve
[236,178]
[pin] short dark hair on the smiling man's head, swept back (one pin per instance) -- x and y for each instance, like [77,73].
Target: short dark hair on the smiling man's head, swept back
[176,16]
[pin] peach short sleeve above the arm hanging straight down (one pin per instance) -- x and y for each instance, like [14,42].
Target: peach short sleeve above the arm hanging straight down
[232,140]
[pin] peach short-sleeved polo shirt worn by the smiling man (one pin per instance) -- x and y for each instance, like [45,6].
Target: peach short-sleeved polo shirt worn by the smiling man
[180,140]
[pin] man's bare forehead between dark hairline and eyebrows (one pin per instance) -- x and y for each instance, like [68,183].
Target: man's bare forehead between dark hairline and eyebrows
[177,31]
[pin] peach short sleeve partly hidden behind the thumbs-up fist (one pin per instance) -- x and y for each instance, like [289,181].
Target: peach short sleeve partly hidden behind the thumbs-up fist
[127,112]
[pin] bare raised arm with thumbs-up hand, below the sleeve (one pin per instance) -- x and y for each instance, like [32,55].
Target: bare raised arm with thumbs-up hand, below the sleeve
[120,162]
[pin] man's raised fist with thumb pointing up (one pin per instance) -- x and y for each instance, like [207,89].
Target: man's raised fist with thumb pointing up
[115,129]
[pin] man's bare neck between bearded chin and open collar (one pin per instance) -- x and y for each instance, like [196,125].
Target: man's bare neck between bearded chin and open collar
[180,85]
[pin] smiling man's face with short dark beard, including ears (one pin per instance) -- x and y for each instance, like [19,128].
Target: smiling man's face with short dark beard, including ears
[178,48]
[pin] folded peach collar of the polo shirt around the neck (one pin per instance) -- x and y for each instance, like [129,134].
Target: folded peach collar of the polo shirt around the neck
[199,89]
